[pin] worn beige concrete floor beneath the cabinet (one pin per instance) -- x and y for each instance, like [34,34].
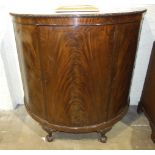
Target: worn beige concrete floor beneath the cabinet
[19,131]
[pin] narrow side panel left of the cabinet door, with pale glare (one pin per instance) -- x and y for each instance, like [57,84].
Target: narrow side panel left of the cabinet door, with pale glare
[27,47]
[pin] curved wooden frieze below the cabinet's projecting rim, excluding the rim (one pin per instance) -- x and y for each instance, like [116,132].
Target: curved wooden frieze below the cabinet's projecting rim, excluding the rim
[66,21]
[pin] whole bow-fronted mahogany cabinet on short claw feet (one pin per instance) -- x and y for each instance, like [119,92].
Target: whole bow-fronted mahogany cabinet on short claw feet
[77,68]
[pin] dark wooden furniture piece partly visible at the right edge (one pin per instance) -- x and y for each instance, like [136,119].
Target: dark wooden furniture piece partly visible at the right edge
[147,102]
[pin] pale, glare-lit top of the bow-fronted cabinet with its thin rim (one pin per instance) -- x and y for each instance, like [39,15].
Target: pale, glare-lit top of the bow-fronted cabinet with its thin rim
[76,13]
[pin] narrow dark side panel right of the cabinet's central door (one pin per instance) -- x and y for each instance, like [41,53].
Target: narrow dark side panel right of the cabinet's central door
[126,39]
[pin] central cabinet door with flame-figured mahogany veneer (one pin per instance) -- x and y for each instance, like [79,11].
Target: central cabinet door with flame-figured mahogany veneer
[77,67]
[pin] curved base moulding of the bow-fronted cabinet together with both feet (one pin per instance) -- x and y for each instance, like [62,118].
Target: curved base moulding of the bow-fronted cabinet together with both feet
[101,128]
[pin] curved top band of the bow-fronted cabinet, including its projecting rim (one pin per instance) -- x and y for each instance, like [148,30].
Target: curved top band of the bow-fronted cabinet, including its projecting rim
[74,19]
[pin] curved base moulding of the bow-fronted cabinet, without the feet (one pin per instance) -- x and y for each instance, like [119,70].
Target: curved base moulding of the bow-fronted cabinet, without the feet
[105,126]
